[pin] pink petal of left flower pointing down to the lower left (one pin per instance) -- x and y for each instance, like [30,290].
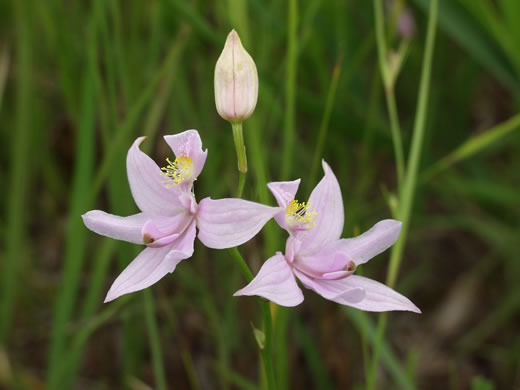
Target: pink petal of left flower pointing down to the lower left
[152,264]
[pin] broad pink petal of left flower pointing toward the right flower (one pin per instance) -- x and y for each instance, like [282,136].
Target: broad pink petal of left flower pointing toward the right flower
[226,223]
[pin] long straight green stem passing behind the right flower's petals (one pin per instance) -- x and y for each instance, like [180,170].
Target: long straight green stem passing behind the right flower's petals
[409,185]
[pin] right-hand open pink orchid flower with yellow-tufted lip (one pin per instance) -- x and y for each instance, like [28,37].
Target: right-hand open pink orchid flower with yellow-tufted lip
[319,258]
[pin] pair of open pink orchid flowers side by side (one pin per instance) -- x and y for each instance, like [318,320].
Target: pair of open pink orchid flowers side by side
[315,254]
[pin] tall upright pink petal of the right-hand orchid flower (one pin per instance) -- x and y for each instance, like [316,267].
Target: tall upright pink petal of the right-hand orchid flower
[326,200]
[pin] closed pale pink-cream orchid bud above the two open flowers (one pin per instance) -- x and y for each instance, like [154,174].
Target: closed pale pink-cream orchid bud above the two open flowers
[236,81]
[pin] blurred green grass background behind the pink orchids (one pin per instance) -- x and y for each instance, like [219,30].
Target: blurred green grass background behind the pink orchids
[79,81]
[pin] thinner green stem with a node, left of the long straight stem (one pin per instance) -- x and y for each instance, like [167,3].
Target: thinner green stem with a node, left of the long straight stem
[388,81]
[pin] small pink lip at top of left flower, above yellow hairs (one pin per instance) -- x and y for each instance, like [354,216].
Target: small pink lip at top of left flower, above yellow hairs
[189,144]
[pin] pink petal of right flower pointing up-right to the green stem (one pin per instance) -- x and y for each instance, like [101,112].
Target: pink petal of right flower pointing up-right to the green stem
[371,243]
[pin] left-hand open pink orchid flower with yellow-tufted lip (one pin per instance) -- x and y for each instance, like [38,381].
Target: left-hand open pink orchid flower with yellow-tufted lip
[170,214]
